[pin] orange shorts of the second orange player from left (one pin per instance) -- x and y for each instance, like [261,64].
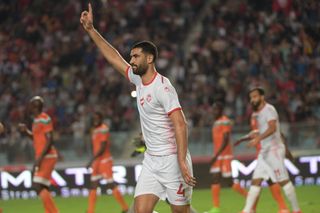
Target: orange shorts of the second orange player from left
[102,169]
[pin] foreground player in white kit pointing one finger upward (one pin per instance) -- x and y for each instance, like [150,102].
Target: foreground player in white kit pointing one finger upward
[167,167]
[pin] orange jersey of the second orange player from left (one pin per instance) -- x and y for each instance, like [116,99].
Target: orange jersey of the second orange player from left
[101,134]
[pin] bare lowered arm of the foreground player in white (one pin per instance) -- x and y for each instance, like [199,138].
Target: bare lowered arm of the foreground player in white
[181,133]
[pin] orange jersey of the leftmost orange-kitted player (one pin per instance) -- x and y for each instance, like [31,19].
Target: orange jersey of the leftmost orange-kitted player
[42,125]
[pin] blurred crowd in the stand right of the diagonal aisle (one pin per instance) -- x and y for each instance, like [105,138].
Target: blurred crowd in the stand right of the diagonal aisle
[275,45]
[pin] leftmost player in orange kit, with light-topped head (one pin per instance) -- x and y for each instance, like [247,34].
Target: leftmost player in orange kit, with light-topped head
[45,153]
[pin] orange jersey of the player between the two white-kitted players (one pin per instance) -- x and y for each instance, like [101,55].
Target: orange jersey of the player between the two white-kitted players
[220,127]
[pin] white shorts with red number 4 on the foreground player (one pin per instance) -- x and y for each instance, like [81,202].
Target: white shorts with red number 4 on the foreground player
[161,176]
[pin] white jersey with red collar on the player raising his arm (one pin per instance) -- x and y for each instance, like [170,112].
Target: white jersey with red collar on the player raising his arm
[156,101]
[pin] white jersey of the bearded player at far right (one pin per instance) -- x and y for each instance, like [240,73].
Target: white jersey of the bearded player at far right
[266,114]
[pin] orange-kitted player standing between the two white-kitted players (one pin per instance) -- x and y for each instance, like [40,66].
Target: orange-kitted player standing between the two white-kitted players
[221,161]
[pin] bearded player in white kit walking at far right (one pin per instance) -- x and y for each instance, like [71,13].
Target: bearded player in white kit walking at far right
[270,163]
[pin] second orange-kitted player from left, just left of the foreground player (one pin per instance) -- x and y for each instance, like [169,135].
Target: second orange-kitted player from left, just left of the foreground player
[101,163]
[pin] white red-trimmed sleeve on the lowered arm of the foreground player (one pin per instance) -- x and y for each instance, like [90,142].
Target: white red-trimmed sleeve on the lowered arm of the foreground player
[168,98]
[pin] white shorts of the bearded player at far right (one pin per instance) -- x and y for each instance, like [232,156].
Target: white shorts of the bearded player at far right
[271,165]
